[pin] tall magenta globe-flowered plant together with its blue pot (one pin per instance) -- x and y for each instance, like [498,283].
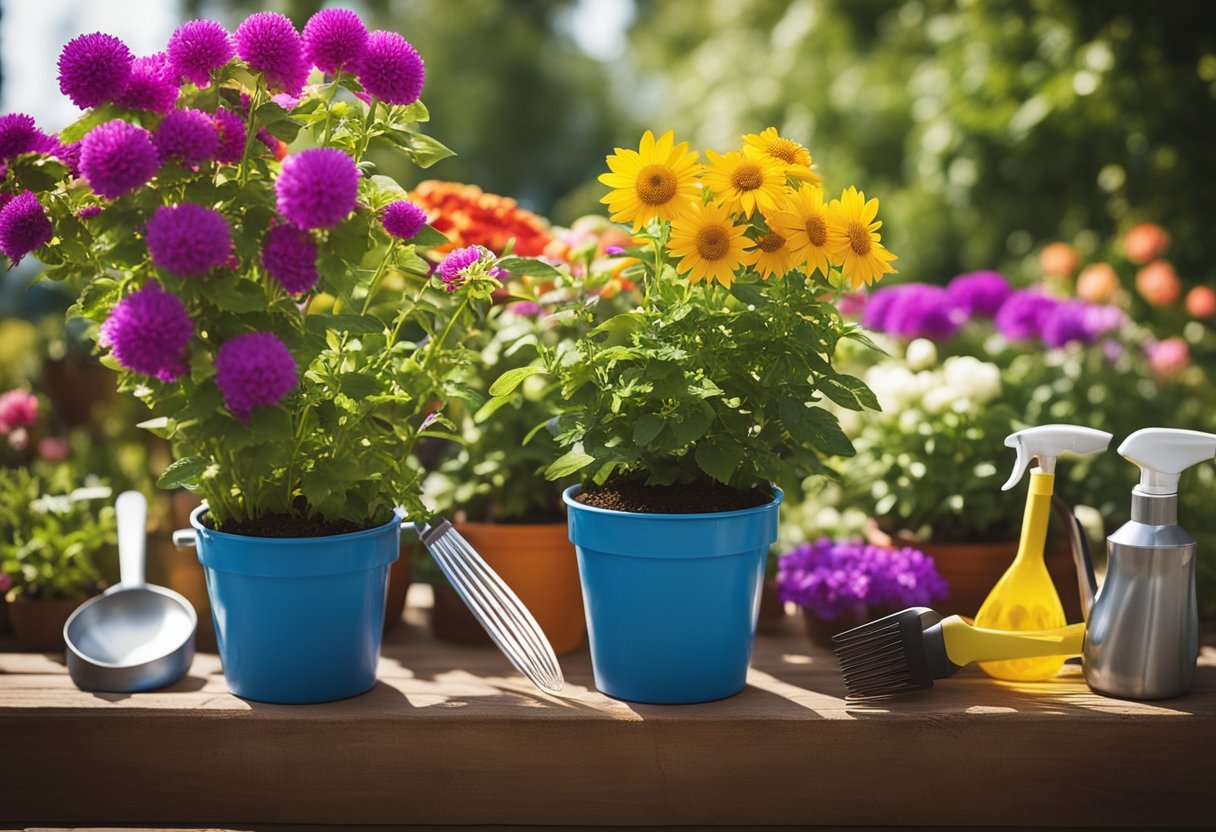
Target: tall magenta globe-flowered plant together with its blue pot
[269,306]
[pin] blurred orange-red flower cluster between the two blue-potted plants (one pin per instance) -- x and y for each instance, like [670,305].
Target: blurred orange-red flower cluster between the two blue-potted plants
[471,217]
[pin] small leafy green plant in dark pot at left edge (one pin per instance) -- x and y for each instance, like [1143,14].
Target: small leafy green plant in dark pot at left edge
[53,530]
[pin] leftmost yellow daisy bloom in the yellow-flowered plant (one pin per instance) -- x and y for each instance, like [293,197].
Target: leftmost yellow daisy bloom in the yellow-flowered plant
[654,182]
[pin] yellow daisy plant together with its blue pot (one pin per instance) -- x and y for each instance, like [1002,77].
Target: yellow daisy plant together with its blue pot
[685,414]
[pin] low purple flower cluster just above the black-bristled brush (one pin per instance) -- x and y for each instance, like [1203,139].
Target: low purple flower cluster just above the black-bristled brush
[832,578]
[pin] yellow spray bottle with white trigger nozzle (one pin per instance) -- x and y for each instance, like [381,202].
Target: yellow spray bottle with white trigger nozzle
[1026,598]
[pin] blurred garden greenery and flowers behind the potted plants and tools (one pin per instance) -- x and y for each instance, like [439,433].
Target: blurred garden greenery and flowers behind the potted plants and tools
[1065,147]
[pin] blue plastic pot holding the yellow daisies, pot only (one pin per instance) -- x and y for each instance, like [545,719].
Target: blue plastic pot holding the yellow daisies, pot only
[672,600]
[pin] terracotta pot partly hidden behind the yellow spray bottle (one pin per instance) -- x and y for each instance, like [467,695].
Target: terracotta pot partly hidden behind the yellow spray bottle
[972,571]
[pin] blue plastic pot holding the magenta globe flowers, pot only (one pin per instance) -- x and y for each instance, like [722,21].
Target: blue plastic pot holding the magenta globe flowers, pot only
[299,620]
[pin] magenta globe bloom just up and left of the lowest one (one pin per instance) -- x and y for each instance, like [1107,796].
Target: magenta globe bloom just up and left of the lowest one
[148,333]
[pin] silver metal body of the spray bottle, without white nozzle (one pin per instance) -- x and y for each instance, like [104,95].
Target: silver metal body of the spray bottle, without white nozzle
[1144,631]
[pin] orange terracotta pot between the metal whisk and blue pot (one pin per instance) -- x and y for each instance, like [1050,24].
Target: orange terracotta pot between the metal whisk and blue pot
[537,561]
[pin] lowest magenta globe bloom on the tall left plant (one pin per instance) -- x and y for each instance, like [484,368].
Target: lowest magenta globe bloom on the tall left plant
[255,370]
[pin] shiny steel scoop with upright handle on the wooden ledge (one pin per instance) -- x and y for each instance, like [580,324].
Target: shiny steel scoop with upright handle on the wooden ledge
[136,637]
